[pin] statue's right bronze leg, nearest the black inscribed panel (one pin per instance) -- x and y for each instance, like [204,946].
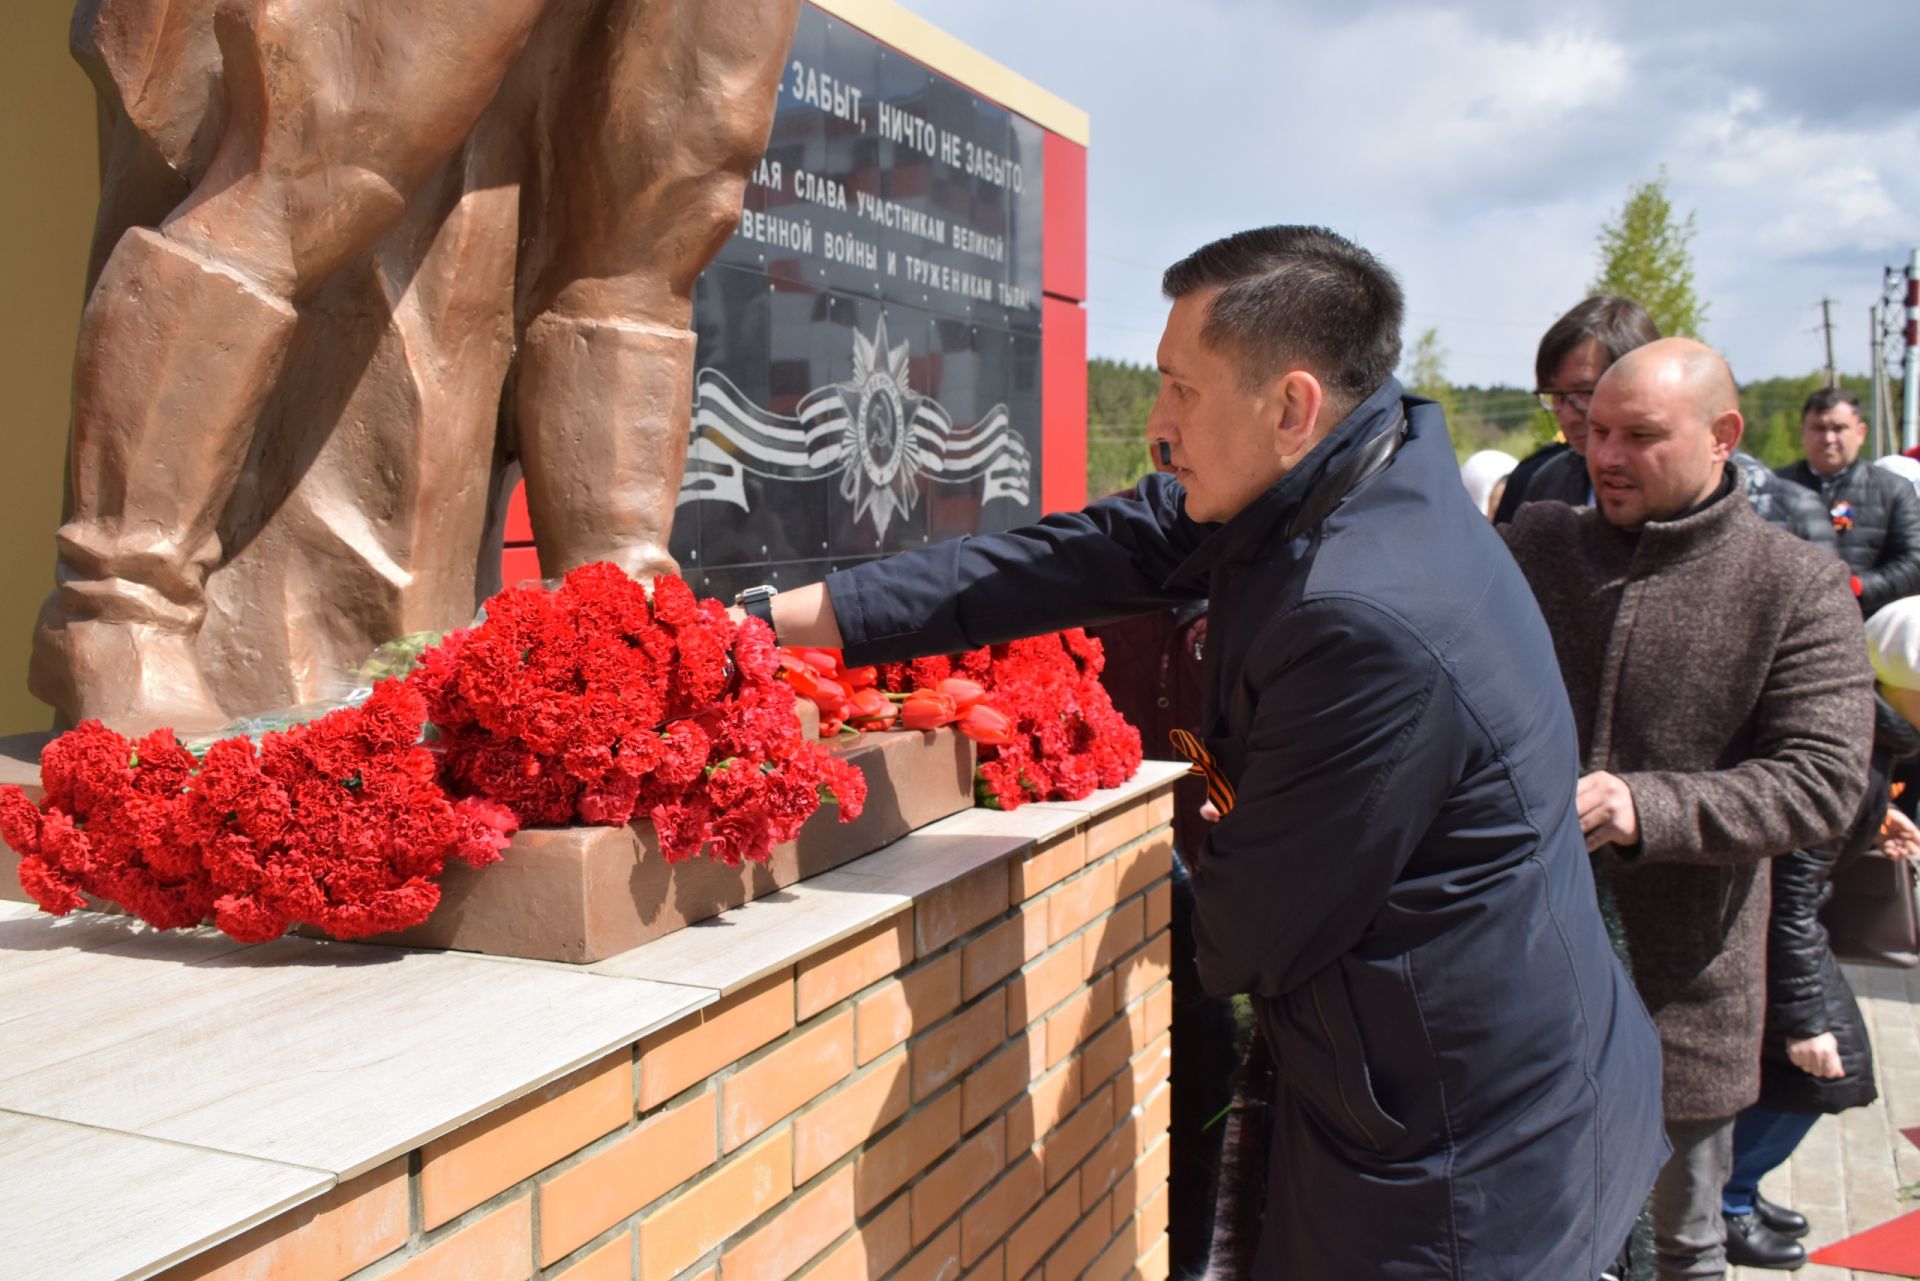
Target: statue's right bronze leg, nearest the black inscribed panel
[654,145]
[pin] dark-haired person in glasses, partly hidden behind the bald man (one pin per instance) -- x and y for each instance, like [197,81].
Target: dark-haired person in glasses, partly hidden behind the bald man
[1570,362]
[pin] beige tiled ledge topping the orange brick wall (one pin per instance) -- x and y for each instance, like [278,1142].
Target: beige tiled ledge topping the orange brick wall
[189,1088]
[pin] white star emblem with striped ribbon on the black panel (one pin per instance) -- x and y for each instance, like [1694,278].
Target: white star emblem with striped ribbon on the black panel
[875,433]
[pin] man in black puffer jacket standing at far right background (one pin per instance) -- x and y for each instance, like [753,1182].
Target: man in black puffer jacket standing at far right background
[1877,516]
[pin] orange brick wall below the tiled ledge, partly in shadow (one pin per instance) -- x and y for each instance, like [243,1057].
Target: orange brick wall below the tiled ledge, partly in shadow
[976,1086]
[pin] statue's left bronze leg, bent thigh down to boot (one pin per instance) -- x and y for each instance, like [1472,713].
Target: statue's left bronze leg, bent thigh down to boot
[187,329]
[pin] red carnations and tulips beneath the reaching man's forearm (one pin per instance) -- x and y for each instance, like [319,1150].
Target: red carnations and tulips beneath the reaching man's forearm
[1045,725]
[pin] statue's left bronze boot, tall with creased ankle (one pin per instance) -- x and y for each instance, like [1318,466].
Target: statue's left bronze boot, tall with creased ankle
[176,360]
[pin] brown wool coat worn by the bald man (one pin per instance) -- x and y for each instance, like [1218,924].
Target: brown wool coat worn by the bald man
[1717,665]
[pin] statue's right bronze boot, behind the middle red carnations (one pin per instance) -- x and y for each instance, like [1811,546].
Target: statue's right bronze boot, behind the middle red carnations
[604,418]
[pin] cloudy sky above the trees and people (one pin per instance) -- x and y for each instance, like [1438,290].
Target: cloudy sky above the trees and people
[1479,147]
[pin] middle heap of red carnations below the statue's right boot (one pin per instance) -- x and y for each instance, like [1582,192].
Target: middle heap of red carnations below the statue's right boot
[600,706]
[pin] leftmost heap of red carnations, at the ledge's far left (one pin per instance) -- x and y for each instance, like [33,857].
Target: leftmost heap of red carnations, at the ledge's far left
[339,823]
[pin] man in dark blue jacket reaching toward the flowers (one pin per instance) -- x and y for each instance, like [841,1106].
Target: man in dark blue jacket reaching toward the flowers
[1466,1086]
